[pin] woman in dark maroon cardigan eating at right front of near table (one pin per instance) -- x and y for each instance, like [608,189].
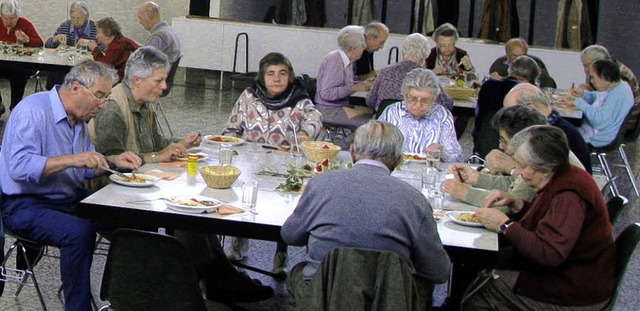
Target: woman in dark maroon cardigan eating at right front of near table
[561,244]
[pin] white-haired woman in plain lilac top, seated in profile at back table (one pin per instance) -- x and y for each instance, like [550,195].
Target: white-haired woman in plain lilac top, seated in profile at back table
[335,79]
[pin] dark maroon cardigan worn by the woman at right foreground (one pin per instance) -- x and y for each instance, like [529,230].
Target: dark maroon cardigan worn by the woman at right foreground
[587,275]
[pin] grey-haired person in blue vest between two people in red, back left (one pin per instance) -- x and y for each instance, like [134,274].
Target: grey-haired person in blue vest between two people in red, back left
[77,31]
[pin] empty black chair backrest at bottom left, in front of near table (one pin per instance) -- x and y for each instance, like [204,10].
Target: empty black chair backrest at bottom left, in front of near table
[149,271]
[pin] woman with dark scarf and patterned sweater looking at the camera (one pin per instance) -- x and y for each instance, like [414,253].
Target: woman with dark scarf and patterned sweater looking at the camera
[275,106]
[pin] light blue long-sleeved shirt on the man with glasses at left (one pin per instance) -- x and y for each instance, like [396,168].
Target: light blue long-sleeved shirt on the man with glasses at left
[39,129]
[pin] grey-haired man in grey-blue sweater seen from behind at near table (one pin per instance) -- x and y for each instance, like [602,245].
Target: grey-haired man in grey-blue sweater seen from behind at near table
[366,208]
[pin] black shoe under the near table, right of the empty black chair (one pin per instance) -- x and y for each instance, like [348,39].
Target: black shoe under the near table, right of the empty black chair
[238,287]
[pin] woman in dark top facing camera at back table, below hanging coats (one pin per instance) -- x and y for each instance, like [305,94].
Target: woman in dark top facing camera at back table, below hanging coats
[446,58]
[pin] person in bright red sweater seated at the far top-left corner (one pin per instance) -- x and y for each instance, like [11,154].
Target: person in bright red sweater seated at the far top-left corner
[16,29]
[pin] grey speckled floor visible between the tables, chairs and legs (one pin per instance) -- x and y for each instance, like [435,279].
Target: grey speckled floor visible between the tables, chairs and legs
[197,104]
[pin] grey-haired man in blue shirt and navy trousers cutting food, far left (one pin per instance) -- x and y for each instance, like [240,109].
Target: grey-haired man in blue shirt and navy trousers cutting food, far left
[46,156]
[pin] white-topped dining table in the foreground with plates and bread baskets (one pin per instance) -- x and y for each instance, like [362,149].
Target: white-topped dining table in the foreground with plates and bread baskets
[121,204]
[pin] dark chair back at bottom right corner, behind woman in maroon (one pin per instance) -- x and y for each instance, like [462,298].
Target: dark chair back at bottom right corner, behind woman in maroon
[626,244]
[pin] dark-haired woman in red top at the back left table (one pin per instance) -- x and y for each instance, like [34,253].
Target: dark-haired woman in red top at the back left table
[115,49]
